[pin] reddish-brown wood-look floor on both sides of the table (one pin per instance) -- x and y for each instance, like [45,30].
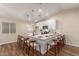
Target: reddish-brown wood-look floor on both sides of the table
[12,49]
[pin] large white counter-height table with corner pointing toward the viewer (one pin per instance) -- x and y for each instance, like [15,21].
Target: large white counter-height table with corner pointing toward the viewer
[42,40]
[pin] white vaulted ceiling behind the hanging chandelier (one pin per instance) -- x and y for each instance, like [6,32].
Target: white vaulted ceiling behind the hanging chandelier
[19,11]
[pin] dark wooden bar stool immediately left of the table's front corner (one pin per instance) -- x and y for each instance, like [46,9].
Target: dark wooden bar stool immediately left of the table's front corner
[33,44]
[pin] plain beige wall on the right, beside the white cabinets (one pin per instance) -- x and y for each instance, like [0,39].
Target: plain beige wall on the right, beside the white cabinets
[68,23]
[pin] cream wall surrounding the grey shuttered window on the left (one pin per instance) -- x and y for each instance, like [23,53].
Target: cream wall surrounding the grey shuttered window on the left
[8,38]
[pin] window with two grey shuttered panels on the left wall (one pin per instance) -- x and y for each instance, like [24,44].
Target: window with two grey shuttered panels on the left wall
[8,27]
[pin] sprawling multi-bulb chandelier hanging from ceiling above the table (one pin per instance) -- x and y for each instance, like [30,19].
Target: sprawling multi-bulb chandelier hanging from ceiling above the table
[35,15]
